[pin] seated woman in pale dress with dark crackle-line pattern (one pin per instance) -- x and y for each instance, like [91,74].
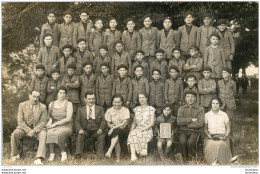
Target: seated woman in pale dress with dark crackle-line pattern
[141,130]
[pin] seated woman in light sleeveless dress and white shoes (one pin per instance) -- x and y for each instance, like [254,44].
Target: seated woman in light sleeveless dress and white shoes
[59,126]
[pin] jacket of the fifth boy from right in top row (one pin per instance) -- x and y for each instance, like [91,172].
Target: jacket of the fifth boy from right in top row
[149,39]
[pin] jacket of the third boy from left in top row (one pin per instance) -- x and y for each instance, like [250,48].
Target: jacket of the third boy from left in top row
[79,32]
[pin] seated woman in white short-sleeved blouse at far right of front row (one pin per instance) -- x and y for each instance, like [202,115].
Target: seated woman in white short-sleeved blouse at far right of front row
[217,129]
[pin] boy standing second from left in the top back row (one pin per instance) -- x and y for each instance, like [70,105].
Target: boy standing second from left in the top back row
[66,29]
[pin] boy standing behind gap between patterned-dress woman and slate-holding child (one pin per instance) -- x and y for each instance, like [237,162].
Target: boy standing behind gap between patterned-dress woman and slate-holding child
[156,88]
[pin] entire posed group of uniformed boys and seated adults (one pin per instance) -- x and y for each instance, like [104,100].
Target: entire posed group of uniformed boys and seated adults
[130,87]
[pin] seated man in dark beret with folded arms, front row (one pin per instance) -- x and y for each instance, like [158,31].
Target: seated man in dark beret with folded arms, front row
[190,118]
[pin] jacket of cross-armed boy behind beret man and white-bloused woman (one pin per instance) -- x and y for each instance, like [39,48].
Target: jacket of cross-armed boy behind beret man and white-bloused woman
[206,97]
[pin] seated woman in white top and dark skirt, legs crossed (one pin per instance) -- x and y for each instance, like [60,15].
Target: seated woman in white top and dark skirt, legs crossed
[117,119]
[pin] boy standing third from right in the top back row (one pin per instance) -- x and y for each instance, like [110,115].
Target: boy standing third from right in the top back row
[187,35]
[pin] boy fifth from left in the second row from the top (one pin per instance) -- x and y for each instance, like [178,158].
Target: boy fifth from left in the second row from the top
[120,57]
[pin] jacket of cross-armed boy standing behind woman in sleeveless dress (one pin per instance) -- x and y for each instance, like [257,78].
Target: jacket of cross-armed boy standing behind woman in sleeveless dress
[72,86]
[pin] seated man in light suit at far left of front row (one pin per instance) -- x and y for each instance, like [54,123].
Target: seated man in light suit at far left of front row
[32,116]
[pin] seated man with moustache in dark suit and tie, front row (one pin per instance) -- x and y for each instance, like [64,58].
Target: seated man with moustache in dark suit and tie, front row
[90,123]
